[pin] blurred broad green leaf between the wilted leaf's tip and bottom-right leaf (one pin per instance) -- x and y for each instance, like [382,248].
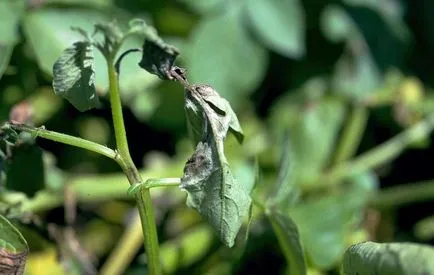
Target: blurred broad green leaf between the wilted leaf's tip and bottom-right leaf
[325,222]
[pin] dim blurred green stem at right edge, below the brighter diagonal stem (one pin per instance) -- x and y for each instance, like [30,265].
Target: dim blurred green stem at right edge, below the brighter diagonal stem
[403,194]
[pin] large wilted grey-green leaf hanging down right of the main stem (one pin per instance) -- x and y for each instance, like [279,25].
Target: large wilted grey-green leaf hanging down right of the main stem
[212,189]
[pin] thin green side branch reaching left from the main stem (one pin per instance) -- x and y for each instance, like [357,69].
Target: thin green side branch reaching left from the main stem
[67,139]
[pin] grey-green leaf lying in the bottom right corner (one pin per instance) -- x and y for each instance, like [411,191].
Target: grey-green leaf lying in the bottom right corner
[388,259]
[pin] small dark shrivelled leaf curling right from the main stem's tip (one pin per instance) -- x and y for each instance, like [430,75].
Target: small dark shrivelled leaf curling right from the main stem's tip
[158,57]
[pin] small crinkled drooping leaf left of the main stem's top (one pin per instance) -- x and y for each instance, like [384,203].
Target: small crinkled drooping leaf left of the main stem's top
[74,76]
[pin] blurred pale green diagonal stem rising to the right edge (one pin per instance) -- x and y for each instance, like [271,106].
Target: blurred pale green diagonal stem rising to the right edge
[375,157]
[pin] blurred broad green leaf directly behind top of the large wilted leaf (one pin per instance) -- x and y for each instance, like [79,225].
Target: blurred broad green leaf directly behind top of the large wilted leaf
[222,54]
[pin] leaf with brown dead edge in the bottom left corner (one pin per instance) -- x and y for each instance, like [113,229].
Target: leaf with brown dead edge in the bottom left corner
[13,249]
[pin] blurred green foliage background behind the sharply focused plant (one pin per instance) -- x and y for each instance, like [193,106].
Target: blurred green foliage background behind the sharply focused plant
[342,76]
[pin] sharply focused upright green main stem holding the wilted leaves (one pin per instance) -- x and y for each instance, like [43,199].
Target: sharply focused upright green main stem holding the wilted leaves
[143,198]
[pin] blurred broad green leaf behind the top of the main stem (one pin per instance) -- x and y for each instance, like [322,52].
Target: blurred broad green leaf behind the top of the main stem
[49,36]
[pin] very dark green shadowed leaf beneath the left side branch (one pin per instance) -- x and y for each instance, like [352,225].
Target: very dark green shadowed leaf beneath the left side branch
[25,171]
